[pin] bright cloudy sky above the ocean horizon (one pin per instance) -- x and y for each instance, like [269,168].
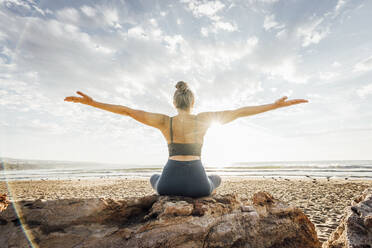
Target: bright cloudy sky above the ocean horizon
[231,53]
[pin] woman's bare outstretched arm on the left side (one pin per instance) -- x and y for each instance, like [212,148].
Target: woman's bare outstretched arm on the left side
[152,119]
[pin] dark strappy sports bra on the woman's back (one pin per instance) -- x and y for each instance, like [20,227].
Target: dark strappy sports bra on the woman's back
[183,148]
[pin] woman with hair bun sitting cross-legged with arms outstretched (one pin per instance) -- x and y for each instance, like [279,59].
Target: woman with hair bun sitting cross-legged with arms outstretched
[184,173]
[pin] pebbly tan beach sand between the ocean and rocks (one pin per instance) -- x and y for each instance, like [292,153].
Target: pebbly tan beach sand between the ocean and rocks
[321,200]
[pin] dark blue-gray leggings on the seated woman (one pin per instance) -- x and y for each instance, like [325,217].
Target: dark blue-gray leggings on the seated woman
[184,178]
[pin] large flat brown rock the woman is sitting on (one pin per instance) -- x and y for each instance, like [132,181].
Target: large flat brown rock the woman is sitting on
[158,221]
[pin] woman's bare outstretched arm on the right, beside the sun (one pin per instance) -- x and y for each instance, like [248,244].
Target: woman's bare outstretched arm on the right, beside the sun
[230,115]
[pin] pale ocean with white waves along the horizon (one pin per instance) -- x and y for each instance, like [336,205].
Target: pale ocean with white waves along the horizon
[21,169]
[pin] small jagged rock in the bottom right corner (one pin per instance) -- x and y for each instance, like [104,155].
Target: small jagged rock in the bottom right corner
[355,229]
